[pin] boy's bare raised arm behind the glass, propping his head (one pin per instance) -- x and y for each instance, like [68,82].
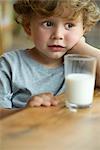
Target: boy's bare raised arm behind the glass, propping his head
[85,49]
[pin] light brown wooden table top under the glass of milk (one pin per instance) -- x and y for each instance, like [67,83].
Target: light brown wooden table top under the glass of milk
[53,128]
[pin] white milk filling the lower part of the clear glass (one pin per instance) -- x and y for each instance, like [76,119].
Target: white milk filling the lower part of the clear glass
[79,88]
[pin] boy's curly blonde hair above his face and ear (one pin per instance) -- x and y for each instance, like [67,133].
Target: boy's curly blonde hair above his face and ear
[46,8]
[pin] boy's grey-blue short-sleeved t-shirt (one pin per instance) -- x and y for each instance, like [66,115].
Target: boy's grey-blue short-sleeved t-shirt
[21,77]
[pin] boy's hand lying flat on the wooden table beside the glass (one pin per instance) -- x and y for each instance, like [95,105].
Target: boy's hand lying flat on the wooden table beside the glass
[44,99]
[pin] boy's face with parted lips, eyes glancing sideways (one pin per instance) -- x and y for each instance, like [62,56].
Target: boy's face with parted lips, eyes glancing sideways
[54,36]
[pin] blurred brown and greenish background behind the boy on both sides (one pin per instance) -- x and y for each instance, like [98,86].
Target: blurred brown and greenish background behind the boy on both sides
[12,36]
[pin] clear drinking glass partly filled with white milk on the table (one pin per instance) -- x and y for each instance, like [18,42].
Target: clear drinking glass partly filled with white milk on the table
[80,73]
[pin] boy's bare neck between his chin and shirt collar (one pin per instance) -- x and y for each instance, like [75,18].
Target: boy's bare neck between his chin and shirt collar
[49,62]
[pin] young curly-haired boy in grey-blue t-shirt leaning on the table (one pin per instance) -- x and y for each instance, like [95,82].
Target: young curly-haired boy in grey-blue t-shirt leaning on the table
[32,77]
